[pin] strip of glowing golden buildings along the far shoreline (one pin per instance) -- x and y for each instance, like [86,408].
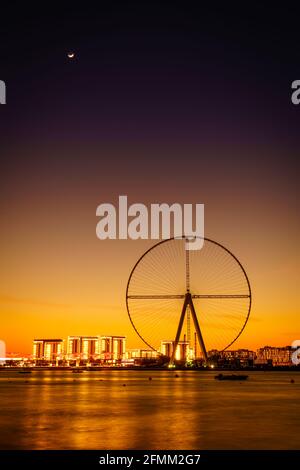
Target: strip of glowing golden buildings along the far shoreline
[110,350]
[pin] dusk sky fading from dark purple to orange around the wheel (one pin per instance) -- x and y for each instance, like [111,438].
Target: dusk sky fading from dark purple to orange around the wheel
[164,104]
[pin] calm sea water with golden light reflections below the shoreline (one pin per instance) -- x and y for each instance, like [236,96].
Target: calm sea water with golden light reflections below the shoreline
[94,410]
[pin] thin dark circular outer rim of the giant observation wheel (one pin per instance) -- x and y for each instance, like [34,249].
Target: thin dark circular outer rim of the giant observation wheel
[181,238]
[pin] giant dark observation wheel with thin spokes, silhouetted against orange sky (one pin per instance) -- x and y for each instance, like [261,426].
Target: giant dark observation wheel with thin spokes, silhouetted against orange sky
[203,296]
